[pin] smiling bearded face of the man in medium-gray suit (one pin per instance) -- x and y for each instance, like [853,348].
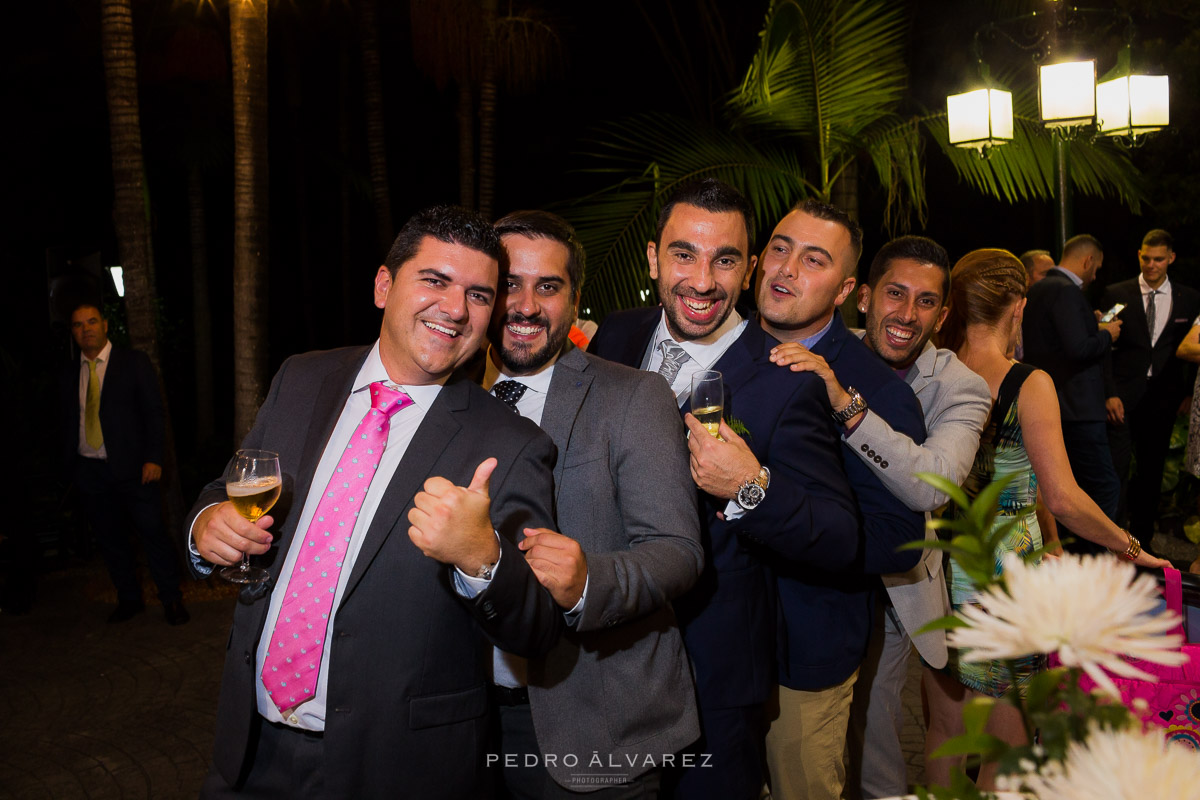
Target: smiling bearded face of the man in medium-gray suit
[536,310]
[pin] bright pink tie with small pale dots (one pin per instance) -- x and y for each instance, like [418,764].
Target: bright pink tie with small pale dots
[293,659]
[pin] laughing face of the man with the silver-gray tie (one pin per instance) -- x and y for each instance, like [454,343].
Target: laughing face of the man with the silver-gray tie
[700,269]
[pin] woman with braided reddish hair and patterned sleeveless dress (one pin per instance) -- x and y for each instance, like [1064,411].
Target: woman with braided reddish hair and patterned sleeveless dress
[1024,437]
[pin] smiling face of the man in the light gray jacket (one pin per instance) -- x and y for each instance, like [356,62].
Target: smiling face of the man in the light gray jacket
[904,310]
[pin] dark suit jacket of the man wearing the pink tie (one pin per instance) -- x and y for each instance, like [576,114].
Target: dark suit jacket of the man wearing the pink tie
[409,659]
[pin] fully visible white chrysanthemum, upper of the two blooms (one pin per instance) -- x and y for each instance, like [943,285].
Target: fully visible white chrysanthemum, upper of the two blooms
[1091,610]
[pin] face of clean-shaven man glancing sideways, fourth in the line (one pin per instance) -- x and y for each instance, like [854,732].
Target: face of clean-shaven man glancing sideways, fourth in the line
[806,275]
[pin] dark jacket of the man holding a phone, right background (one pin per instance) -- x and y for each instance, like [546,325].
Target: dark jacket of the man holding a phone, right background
[1061,336]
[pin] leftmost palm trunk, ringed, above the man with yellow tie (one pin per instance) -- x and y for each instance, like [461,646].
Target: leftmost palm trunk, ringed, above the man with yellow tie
[129,175]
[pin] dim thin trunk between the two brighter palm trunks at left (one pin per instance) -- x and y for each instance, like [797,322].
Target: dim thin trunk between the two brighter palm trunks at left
[202,309]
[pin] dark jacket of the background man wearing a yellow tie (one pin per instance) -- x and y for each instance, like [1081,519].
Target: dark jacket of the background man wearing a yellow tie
[131,416]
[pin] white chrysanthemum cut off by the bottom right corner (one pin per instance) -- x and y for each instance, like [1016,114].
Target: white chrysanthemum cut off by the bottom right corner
[1121,765]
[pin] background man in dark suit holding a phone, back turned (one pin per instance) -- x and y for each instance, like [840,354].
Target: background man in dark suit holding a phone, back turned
[1061,336]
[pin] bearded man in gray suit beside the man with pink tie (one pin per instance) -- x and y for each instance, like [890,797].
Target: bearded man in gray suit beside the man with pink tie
[614,701]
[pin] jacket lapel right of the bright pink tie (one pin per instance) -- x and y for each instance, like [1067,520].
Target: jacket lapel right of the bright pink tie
[433,438]
